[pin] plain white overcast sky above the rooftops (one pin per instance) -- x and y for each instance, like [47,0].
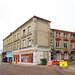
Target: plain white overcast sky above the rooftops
[13,13]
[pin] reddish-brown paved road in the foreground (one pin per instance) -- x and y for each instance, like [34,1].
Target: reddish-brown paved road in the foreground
[8,69]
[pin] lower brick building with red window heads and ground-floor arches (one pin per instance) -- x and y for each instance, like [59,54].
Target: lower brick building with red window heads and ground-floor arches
[62,44]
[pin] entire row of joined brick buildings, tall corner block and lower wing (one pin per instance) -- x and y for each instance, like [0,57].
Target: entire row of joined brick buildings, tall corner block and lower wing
[35,40]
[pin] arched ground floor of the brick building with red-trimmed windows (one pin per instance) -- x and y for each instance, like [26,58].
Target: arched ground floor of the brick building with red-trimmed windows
[66,55]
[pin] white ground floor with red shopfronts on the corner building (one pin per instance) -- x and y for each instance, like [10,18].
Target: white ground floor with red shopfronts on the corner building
[29,56]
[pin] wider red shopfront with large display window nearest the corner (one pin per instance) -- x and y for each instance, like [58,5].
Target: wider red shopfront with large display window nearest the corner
[27,56]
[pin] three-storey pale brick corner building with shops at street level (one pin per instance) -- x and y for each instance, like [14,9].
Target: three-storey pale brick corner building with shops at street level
[29,42]
